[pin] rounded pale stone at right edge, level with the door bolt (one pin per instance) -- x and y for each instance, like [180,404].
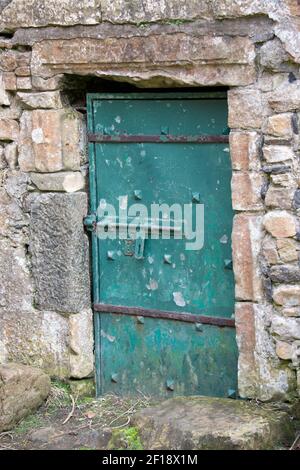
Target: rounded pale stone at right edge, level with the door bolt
[280,224]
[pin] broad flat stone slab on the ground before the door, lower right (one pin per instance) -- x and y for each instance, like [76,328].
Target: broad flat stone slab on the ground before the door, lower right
[204,423]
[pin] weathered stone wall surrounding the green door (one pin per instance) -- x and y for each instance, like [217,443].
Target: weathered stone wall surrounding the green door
[252,47]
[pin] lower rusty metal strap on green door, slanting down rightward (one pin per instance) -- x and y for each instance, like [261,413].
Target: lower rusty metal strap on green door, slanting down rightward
[164,315]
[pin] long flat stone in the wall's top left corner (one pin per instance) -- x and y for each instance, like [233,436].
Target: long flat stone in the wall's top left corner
[53,12]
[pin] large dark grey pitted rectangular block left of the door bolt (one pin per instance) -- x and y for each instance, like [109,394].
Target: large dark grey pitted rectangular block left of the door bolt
[60,252]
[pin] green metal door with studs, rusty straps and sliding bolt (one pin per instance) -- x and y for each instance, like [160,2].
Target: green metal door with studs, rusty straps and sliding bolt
[163,313]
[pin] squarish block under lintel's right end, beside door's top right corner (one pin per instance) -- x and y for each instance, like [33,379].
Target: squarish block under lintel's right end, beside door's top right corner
[246,109]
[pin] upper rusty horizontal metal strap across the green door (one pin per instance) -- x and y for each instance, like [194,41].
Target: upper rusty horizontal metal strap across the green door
[159,139]
